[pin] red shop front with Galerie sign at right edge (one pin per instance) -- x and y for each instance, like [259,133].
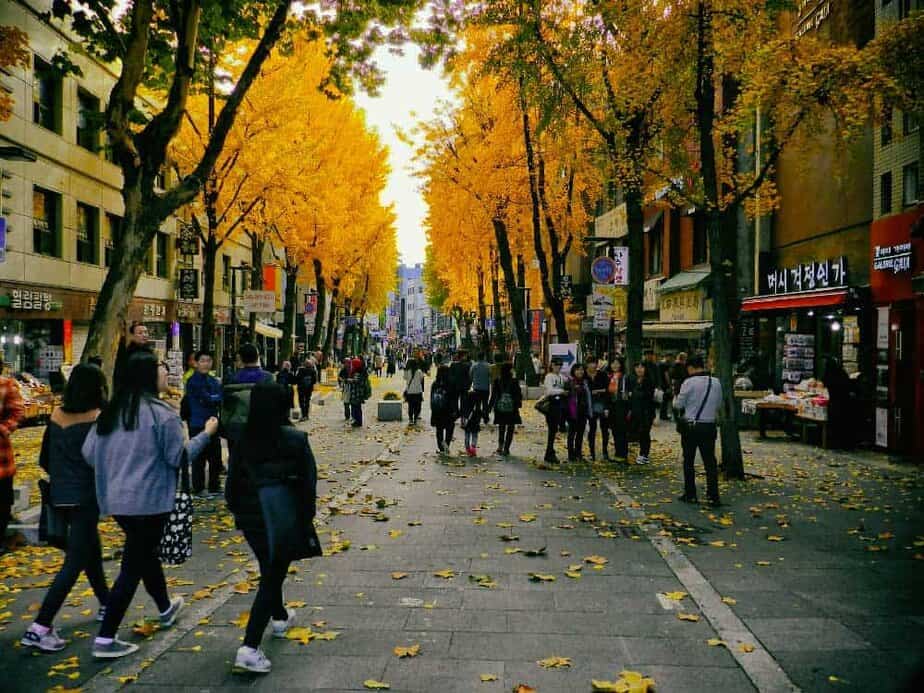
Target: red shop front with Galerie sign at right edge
[897,287]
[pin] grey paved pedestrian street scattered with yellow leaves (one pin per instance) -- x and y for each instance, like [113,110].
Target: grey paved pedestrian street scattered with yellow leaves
[807,577]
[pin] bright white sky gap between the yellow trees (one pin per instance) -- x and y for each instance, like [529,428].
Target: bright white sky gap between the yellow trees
[410,93]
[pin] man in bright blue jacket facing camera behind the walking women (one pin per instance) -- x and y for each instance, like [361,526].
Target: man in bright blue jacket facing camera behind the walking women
[203,398]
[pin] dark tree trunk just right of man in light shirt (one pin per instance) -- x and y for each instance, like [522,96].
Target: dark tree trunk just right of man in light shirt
[732,459]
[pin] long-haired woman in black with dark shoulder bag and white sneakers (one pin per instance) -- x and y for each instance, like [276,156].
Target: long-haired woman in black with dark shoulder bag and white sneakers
[272,493]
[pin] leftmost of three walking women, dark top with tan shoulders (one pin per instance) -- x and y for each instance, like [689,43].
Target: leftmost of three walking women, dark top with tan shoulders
[73,493]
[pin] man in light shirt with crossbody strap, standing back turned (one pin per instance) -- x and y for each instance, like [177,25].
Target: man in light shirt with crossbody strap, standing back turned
[696,408]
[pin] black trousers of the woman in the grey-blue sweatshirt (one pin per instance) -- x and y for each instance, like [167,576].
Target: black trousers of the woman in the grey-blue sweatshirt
[139,563]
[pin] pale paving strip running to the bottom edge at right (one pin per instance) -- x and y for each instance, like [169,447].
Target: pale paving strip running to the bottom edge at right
[759,665]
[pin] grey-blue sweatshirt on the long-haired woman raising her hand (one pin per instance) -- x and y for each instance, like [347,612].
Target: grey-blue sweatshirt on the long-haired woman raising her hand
[136,471]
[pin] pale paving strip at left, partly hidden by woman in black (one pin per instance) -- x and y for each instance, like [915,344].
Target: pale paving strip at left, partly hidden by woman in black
[130,666]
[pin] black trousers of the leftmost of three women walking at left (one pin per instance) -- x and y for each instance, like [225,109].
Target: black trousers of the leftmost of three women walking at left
[83,555]
